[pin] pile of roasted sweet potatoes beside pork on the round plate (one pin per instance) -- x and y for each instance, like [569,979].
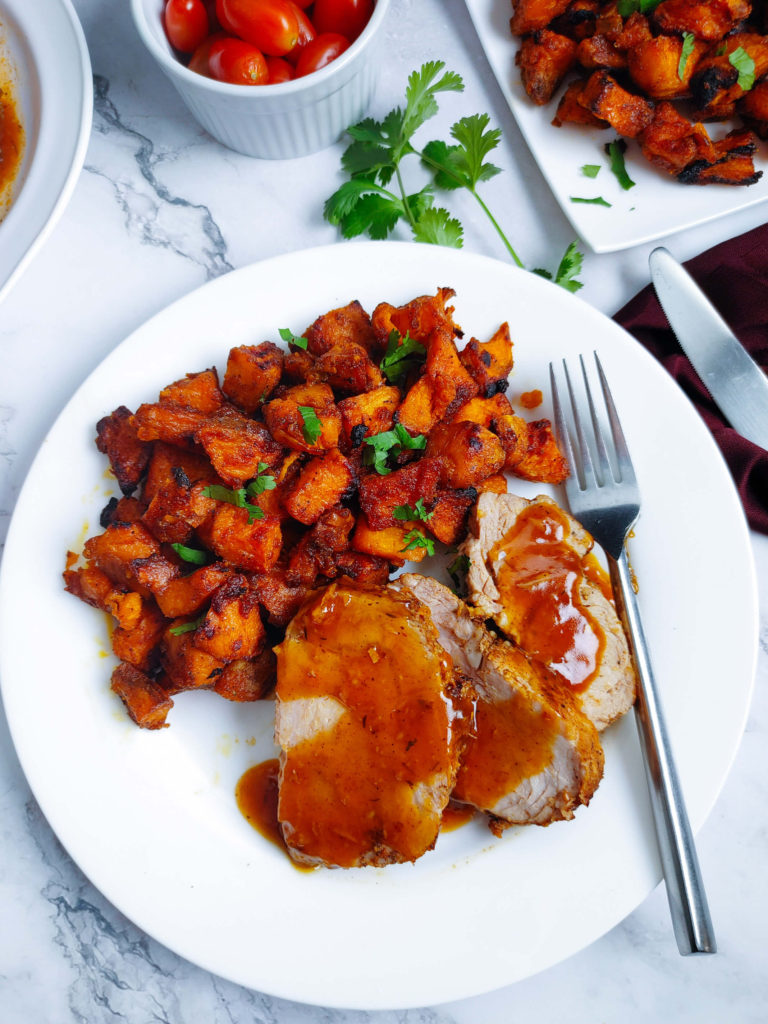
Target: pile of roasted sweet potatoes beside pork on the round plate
[346,454]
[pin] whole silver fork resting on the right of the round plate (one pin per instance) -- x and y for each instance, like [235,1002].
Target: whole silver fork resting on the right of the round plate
[606,499]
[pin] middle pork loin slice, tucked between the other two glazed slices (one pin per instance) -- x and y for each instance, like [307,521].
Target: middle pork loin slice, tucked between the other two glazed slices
[534,756]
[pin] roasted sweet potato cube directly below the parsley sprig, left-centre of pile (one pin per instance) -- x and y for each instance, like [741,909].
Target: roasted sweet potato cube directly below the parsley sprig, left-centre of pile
[251,546]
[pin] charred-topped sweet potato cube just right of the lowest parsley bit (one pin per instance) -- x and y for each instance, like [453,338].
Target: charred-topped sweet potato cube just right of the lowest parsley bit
[233,627]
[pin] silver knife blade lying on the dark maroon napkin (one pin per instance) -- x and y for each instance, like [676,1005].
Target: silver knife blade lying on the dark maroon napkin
[734,379]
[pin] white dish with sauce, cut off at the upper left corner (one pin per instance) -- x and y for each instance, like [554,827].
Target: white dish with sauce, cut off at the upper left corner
[45,44]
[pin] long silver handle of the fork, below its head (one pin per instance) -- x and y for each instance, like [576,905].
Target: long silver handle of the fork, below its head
[686,891]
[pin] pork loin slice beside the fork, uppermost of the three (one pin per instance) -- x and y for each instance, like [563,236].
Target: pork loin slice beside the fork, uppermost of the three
[528,572]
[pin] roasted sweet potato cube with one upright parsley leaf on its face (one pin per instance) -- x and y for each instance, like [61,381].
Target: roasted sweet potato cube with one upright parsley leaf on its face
[295,418]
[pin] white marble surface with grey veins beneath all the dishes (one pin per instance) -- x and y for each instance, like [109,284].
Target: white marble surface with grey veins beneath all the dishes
[159,209]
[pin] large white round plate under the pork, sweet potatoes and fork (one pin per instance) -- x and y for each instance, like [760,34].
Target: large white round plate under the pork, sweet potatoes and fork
[151,818]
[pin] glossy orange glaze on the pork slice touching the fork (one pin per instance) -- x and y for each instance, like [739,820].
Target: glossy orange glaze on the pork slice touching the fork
[539,575]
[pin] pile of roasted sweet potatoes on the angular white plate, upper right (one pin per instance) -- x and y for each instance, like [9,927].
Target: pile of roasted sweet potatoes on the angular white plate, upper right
[655,72]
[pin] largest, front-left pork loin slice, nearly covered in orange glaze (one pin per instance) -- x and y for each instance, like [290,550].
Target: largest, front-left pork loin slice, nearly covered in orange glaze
[370,722]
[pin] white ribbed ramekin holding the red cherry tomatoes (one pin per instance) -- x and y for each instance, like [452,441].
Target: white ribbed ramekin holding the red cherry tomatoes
[275,122]
